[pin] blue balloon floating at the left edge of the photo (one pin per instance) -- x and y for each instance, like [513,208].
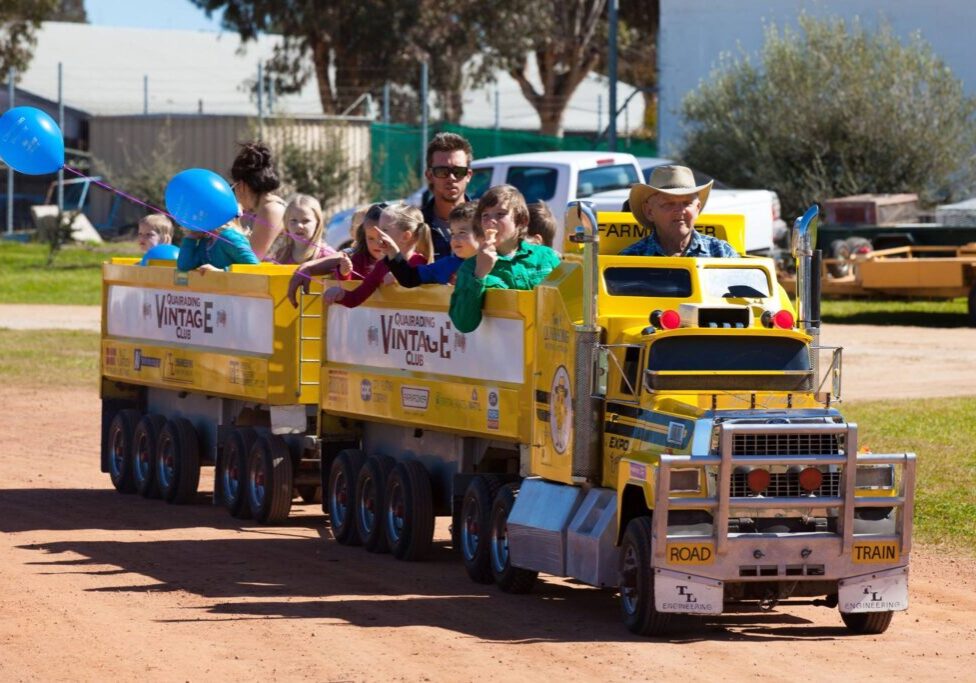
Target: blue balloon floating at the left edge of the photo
[30,141]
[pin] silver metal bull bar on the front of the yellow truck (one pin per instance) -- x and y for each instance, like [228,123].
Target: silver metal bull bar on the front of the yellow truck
[722,503]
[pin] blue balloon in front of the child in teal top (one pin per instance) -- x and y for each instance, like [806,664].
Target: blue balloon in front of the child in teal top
[200,199]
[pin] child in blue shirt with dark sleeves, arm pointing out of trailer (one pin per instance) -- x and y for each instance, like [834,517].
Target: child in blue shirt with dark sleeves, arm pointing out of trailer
[465,240]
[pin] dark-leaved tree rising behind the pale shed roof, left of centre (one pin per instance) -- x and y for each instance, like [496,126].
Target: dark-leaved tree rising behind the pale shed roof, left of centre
[355,41]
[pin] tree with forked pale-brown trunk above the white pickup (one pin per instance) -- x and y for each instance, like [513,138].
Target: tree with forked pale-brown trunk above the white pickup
[567,39]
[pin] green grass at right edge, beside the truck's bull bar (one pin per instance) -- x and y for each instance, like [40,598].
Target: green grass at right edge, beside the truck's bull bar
[941,432]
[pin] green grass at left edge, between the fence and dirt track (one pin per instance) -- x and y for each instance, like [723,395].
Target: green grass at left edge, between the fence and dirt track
[75,277]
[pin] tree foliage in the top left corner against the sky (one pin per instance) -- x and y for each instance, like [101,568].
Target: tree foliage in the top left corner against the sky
[19,21]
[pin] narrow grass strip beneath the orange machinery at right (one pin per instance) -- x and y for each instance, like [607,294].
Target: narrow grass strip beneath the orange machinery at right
[920,313]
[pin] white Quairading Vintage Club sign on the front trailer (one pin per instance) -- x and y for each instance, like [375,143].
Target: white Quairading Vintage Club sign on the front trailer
[427,342]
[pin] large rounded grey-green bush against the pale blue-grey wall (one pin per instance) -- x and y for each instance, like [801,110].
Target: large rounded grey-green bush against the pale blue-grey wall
[834,109]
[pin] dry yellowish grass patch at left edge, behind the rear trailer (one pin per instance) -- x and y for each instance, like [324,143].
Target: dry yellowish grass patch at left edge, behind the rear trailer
[49,358]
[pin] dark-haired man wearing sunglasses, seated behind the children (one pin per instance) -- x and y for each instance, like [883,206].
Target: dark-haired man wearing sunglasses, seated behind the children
[448,173]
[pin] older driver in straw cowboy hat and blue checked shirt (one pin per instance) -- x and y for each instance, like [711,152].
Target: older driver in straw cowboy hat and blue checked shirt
[668,206]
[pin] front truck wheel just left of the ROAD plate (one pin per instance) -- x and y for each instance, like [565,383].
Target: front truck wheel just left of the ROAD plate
[637,581]
